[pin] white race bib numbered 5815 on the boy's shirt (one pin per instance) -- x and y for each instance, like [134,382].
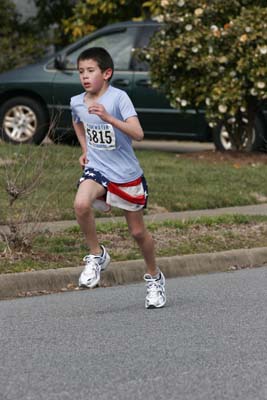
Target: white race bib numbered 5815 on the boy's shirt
[100,136]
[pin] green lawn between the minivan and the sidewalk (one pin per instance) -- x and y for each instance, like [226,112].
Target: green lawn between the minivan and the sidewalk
[175,183]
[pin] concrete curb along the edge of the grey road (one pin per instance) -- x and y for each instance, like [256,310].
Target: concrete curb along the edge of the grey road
[119,273]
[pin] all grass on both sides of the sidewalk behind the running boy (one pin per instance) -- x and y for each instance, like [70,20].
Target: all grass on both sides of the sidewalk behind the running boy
[175,184]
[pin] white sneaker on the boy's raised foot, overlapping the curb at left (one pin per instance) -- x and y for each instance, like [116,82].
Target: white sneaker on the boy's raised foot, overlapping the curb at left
[94,265]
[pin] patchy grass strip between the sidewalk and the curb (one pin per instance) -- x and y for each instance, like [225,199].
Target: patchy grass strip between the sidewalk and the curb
[198,235]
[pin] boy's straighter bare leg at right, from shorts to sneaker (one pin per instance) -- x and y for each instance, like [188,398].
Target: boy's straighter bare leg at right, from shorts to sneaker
[135,221]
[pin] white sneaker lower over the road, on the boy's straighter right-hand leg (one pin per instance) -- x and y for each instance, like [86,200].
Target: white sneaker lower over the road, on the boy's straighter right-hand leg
[156,297]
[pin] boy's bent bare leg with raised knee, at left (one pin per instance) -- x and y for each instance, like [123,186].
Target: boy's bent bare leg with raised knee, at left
[88,191]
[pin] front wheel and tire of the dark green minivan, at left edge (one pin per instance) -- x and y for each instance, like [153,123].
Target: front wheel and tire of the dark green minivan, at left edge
[23,120]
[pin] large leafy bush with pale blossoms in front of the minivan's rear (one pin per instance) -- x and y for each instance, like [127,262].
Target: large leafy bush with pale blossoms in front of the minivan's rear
[213,54]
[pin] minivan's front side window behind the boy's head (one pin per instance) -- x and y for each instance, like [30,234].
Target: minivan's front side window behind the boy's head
[118,44]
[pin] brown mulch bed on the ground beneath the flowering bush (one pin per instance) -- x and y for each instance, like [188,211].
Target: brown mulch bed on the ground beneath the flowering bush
[236,158]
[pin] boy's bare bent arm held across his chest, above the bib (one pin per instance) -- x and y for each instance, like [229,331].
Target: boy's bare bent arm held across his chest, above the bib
[130,127]
